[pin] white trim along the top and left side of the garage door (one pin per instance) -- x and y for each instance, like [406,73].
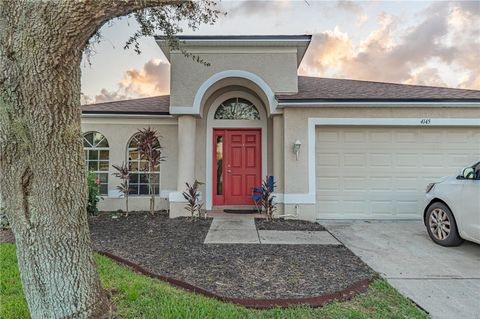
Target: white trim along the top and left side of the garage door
[313,122]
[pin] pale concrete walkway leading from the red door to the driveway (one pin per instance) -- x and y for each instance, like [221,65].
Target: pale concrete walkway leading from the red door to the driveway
[241,230]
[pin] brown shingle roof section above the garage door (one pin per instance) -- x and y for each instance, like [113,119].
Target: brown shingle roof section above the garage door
[313,88]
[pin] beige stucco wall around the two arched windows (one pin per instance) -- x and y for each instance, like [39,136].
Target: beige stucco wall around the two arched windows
[118,132]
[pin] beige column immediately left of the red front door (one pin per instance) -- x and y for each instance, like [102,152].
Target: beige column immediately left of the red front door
[186,151]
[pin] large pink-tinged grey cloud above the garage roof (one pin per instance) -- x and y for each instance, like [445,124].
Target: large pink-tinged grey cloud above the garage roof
[446,36]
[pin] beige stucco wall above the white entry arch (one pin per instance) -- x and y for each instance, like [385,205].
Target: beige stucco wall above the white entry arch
[277,67]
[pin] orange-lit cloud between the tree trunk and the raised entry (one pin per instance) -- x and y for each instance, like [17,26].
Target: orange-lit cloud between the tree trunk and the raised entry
[151,80]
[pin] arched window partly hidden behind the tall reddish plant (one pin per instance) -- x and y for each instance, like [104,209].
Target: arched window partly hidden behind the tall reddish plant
[139,171]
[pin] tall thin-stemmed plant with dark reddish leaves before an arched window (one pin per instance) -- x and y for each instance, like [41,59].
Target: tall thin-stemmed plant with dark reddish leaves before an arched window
[150,149]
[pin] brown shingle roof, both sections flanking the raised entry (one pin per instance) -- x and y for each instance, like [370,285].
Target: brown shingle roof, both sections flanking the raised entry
[311,89]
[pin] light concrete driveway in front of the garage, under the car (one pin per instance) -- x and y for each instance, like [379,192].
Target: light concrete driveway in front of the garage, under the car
[443,281]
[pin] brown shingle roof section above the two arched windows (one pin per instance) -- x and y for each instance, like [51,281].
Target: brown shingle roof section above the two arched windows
[158,105]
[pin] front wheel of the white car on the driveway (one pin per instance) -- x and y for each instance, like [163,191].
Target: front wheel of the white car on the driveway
[441,225]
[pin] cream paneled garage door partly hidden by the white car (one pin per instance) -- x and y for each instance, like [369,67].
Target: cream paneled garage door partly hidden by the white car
[381,172]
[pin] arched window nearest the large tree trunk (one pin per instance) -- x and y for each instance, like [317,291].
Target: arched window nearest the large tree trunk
[96,150]
